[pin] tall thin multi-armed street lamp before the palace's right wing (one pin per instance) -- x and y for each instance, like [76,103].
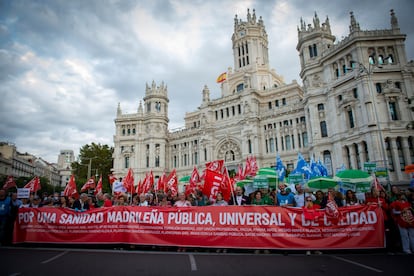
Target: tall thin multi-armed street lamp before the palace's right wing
[369,71]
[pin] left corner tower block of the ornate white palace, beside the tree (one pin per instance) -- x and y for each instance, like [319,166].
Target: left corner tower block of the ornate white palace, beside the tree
[141,138]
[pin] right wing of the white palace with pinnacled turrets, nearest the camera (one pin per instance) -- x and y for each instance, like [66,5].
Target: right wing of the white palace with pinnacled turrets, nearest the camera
[356,96]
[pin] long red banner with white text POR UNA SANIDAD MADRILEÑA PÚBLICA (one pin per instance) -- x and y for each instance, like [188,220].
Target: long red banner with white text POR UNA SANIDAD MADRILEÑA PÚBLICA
[211,226]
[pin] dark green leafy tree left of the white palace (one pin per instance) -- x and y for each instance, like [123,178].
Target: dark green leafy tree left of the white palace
[93,159]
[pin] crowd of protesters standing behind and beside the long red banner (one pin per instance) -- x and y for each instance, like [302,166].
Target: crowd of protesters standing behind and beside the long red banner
[397,205]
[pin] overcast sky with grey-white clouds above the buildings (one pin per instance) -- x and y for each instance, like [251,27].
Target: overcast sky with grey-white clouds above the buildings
[65,65]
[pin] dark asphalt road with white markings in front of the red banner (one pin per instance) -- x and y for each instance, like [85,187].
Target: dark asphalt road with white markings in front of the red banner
[75,262]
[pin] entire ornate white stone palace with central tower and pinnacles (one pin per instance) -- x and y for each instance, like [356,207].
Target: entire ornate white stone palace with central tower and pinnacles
[355,94]
